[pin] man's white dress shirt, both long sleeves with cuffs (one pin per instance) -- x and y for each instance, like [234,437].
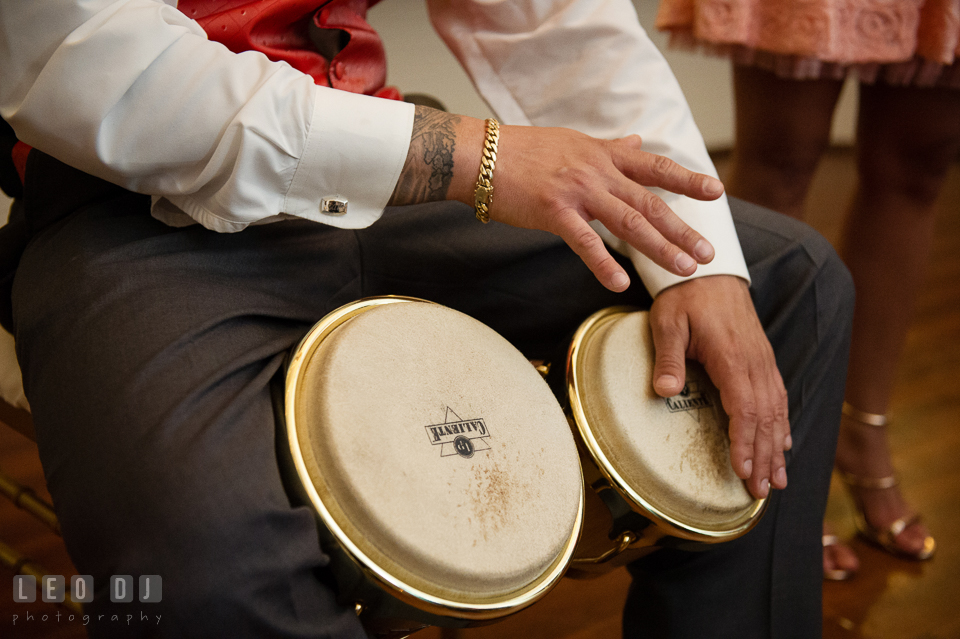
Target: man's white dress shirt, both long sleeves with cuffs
[133,91]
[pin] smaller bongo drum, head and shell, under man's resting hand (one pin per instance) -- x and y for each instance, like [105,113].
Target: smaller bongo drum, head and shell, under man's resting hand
[657,470]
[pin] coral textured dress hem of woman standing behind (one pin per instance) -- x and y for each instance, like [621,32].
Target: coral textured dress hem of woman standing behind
[905,42]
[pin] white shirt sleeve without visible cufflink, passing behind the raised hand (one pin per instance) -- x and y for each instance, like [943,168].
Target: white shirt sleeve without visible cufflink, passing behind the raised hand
[588,65]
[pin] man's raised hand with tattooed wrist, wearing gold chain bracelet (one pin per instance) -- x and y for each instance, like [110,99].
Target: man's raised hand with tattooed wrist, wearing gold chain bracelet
[559,180]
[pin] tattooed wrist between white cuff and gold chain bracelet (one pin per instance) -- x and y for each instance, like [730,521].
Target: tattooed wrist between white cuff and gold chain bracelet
[428,170]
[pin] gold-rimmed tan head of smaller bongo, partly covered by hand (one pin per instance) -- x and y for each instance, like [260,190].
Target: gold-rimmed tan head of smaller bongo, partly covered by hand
[670,457]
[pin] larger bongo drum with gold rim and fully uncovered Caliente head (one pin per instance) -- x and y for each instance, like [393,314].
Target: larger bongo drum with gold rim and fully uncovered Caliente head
[439,463]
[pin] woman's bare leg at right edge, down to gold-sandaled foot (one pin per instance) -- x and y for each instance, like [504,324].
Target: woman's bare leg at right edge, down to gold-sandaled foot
[907,138]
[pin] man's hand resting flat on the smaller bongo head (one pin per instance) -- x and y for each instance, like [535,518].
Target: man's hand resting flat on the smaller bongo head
[712,320]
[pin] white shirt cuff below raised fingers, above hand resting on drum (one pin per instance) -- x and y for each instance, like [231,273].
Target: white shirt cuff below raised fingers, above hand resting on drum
[712,220]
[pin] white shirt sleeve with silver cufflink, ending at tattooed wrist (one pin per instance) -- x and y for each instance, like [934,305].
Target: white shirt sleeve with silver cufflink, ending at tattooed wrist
[133,91]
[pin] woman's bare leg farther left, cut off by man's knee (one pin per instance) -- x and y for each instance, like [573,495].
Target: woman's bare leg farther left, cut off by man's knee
[782,128]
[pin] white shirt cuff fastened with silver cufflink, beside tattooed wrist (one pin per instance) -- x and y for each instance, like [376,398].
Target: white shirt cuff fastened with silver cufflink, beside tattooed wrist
[355,151]
